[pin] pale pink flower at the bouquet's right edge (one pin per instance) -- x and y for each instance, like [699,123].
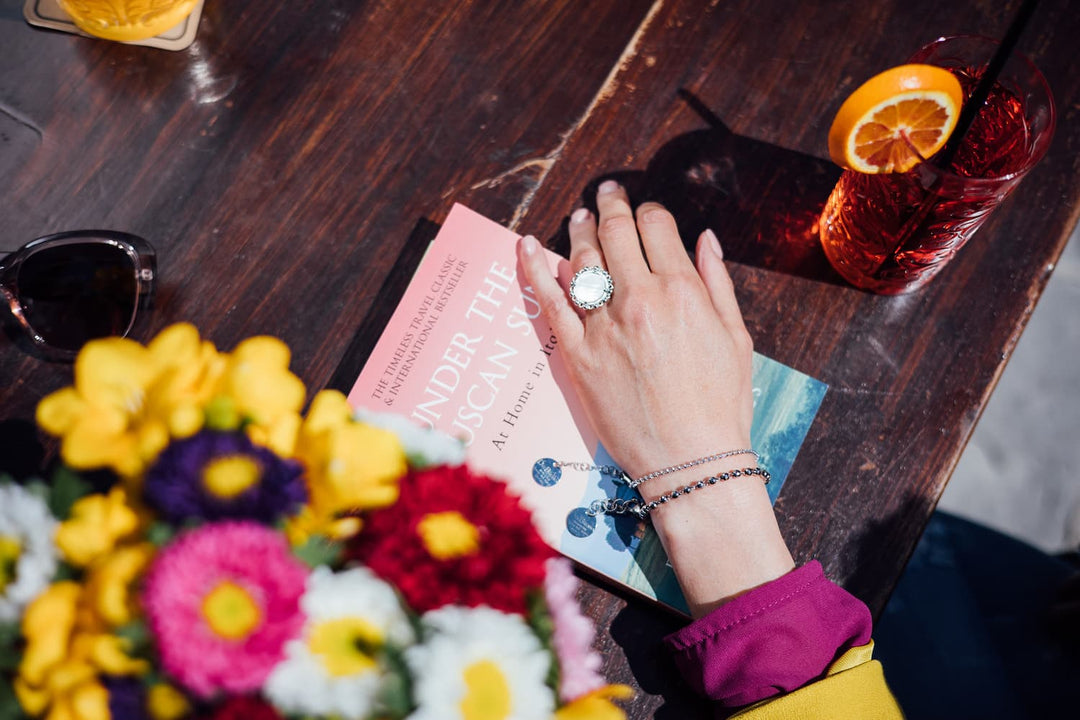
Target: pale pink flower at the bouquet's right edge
[573,640]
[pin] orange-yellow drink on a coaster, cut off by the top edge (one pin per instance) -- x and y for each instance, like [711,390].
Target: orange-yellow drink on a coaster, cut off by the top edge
[128,21]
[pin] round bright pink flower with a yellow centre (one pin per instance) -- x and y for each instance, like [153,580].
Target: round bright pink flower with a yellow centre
[222,603]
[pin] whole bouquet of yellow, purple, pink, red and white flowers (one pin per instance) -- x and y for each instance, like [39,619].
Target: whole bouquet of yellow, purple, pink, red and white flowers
[207,551]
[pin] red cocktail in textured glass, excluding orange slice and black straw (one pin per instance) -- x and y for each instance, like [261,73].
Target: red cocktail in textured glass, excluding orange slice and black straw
[893,233]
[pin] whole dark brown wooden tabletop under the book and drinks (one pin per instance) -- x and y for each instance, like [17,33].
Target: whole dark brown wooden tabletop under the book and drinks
[286,162]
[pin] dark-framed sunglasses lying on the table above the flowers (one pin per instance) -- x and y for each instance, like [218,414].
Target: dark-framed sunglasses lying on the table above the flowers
[71,288]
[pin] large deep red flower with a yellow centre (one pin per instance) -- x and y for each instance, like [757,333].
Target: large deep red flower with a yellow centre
[454,538]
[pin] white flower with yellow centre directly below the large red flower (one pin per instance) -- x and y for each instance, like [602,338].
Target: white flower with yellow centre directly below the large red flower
[476,659]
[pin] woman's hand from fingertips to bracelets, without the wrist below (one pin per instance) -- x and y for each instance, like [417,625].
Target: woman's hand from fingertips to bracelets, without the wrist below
[664,370]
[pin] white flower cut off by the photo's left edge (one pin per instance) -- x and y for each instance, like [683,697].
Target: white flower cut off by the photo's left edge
[28,551]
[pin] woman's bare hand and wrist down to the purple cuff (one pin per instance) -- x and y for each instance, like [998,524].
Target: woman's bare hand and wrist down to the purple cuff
[665,374]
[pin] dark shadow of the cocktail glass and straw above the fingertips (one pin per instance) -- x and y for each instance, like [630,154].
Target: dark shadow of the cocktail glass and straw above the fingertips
[763,201]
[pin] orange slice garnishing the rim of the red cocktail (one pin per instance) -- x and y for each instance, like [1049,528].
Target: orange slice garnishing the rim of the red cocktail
[895,119]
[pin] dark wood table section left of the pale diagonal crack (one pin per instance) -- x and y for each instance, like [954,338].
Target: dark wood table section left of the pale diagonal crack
[281,164]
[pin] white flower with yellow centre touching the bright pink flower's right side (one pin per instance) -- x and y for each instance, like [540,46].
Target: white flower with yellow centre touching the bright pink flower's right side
[333,669]
